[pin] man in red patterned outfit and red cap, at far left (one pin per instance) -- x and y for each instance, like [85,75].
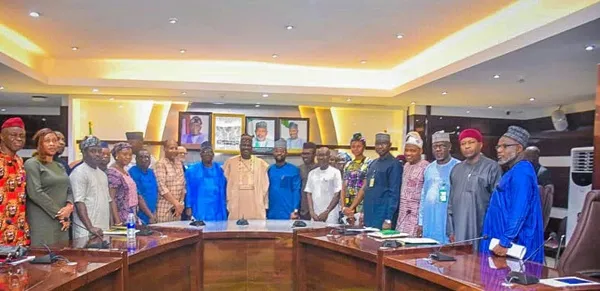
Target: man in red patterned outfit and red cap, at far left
[12,184]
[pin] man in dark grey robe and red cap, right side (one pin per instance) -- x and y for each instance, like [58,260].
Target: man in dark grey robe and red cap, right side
[471,184]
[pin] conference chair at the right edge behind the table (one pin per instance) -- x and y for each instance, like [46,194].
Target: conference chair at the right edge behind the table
[581,256]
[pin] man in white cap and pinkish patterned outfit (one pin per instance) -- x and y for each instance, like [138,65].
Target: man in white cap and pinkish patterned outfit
[412,184]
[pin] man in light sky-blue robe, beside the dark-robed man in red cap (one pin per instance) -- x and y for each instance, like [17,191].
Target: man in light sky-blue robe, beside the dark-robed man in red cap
[436,190]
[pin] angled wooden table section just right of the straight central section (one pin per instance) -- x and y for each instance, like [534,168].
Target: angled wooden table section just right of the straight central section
[329,261]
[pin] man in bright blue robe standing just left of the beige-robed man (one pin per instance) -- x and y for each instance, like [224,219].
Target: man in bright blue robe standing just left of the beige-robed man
[206,186]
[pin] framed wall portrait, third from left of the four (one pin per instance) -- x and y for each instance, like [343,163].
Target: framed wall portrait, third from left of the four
[264,133]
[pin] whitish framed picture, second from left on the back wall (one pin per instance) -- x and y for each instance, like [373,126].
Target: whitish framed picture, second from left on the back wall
[227,132]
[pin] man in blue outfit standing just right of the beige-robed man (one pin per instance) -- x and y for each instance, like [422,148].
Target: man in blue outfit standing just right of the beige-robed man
[285,185]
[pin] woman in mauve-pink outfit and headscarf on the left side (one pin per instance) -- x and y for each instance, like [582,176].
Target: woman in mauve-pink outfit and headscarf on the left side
[121,186]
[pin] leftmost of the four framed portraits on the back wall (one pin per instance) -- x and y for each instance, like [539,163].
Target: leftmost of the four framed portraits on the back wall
[194,129]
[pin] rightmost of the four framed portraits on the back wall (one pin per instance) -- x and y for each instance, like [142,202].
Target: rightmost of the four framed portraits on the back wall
[296,131]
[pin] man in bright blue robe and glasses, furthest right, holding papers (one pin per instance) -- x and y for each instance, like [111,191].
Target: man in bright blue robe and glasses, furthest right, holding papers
[514,214]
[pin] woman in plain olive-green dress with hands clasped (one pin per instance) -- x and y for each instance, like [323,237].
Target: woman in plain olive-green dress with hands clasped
[49,196]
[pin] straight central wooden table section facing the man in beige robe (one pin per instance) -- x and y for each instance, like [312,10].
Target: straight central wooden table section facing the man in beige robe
[253,257]
